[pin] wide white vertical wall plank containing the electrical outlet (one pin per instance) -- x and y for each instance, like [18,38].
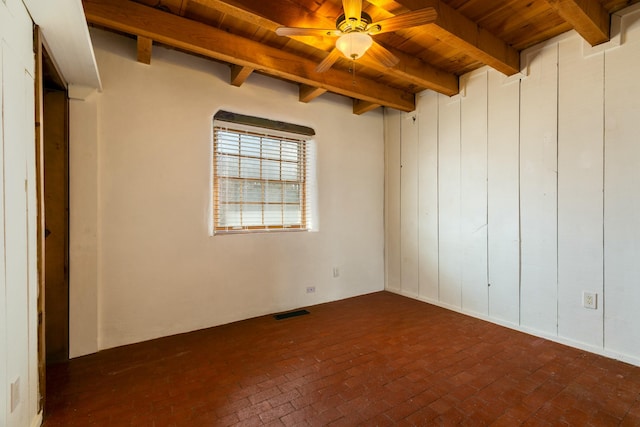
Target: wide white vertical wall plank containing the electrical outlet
[580,187]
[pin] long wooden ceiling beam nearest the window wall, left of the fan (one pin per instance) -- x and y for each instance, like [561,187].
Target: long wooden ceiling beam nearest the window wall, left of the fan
[191,36]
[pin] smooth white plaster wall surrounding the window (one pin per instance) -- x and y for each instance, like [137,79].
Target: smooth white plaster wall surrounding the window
[142,262]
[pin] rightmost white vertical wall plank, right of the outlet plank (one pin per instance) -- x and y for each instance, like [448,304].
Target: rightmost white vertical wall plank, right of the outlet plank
[622,201]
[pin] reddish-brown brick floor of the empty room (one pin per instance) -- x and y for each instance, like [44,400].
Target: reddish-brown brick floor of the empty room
[375,360]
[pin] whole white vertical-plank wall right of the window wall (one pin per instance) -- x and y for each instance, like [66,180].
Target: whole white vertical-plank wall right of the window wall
[526,190]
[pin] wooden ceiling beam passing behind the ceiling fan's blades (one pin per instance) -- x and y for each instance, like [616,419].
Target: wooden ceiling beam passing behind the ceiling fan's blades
[271,15]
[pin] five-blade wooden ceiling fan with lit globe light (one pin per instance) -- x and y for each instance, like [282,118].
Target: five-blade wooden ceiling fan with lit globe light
[354,29]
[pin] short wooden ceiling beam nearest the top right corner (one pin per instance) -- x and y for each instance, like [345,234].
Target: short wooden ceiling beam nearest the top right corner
[587,17]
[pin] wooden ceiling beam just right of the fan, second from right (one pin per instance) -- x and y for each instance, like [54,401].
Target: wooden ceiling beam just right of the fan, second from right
[456,30]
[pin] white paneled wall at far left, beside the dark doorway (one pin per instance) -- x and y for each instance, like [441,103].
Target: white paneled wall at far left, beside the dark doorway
[18,208]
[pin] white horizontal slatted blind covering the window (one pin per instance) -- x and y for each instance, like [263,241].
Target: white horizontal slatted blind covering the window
[260,179]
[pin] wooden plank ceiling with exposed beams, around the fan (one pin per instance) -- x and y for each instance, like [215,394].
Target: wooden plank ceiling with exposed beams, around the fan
[466,35]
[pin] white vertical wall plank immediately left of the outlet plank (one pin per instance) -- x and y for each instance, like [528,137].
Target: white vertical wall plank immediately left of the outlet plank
[538,136]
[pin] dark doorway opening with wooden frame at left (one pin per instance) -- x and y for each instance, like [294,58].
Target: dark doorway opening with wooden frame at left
[52,142]
